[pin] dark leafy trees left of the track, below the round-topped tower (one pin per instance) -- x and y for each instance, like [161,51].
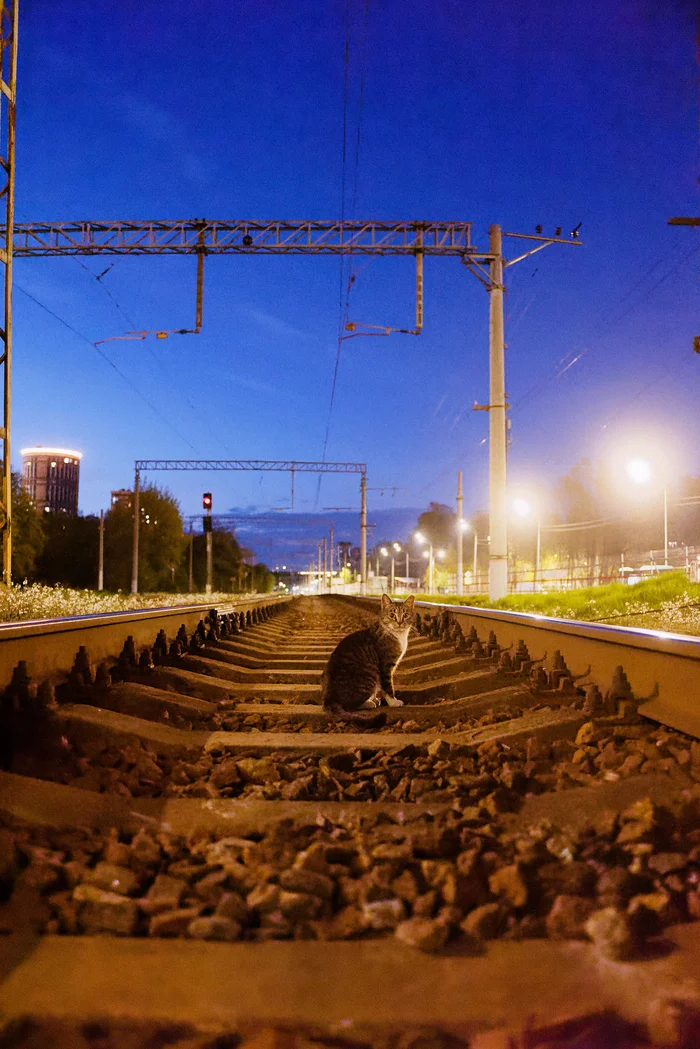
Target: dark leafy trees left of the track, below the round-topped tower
[60,549]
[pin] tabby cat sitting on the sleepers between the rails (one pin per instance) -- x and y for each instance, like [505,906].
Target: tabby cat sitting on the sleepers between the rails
[360,672]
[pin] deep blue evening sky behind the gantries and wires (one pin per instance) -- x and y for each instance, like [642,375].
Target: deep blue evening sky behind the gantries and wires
[487,112]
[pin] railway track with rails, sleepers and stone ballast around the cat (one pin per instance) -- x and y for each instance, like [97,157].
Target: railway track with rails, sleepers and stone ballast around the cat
[195,854]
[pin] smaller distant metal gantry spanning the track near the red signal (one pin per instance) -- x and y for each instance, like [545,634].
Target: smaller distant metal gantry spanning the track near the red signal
[288,466]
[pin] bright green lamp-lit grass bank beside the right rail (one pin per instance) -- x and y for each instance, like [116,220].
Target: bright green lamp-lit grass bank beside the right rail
[668,603]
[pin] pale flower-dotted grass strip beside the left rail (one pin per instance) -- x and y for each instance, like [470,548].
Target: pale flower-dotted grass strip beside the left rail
[38,602]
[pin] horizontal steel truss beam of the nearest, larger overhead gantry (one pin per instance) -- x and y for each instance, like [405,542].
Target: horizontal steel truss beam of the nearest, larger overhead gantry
[242,239]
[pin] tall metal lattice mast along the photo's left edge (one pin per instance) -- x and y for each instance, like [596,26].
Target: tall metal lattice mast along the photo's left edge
[9,10]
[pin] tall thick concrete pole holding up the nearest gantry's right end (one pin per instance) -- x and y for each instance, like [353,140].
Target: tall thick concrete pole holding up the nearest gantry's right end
[498,490]
